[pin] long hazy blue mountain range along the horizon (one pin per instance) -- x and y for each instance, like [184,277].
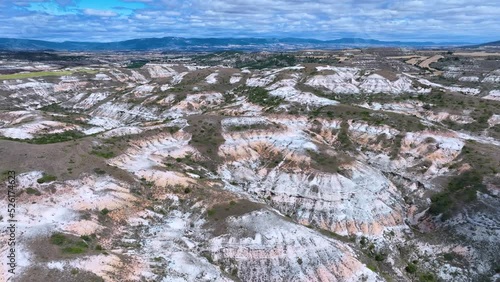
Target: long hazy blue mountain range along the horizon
[208,44]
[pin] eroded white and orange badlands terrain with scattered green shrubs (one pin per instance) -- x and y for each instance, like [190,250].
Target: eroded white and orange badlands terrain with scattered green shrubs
[352,165]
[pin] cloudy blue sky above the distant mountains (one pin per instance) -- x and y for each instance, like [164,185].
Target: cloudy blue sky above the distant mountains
[471,21]
